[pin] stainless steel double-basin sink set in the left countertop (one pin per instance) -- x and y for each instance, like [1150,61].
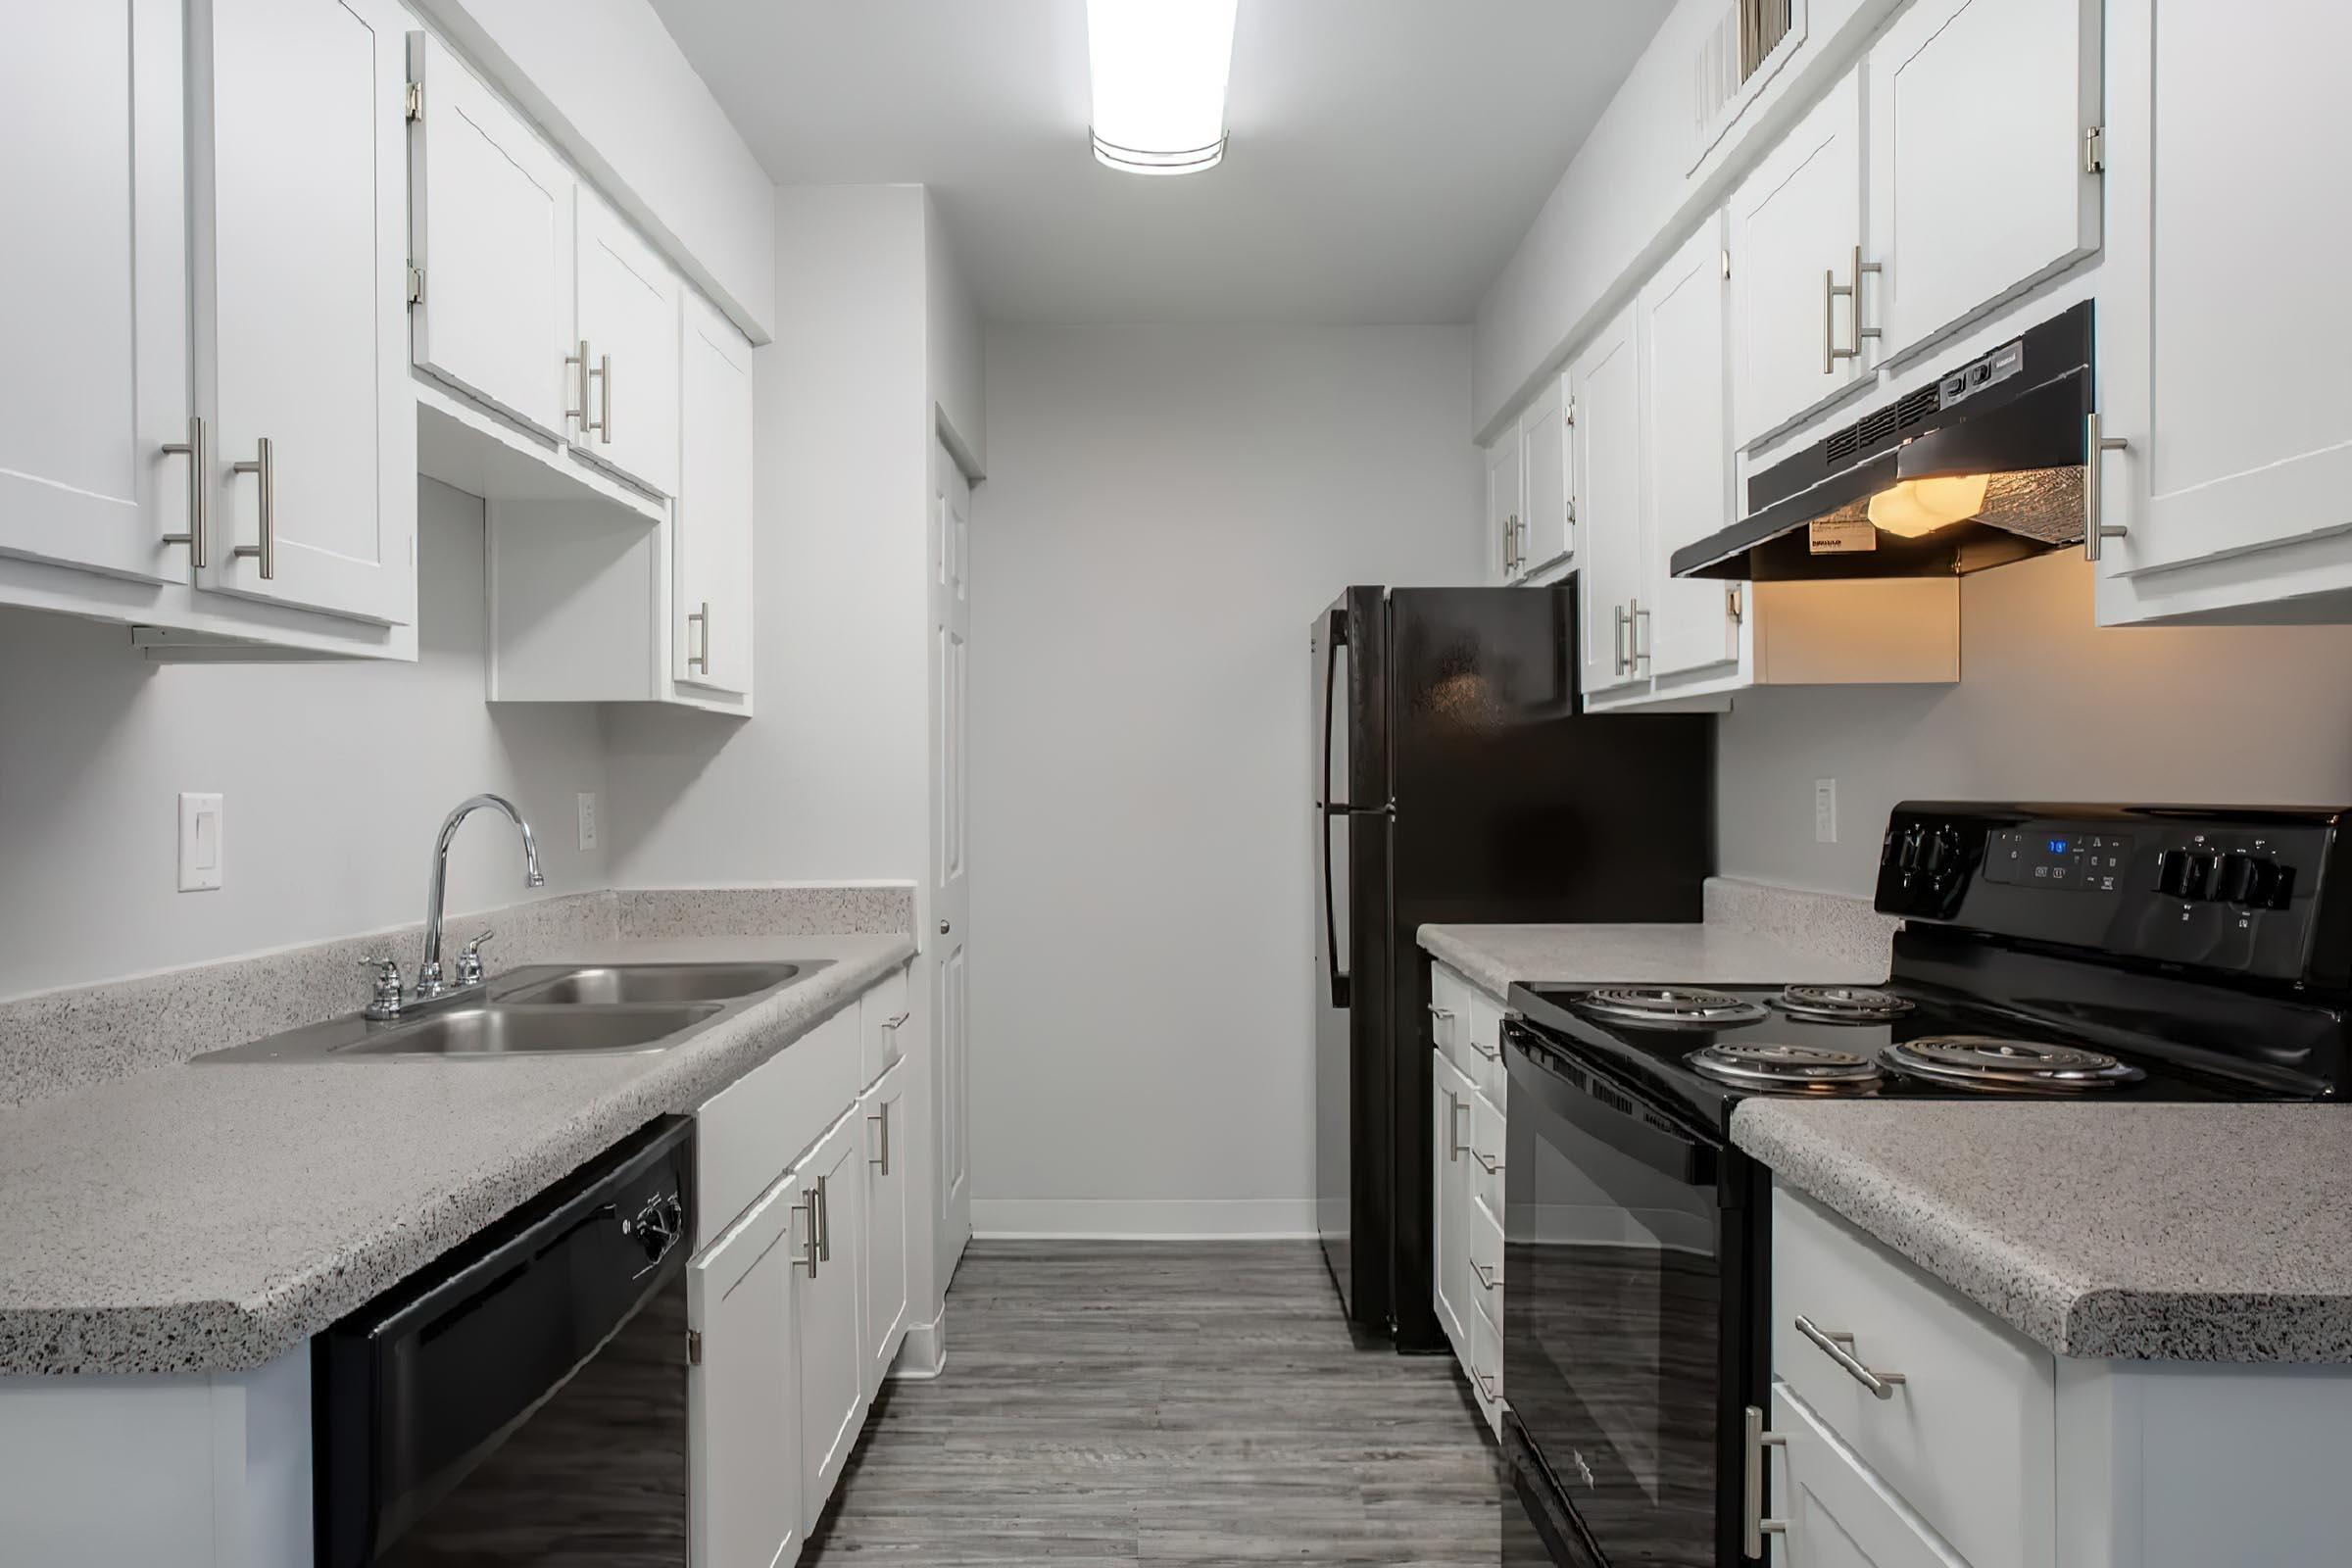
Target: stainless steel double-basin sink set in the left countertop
[549,1010]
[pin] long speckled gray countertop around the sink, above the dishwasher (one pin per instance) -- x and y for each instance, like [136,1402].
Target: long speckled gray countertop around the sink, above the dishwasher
[215,1217]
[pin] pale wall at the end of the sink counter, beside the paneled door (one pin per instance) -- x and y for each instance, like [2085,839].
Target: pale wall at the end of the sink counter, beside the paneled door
[829,779]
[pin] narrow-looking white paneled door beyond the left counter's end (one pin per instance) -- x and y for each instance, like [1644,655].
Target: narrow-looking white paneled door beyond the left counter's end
[951,871]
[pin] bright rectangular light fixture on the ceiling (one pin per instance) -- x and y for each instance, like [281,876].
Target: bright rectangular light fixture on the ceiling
[1161,83]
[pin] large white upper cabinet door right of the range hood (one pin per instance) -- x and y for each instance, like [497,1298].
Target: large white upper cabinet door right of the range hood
[2238,413]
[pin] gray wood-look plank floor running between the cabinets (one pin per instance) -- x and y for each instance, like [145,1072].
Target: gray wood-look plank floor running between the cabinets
[1163,1405]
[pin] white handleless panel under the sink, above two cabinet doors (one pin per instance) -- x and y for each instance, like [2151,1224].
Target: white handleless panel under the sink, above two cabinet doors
[768,1118]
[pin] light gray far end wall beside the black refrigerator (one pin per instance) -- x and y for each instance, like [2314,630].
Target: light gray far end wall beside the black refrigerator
[1165,514]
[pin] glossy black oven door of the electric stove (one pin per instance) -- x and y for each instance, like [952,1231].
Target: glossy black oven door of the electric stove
[1629,1346]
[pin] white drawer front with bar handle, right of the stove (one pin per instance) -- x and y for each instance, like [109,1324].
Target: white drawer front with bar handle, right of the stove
[1967,1435]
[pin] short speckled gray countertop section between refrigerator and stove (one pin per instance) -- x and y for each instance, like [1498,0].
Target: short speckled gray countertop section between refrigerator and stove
[1753,934]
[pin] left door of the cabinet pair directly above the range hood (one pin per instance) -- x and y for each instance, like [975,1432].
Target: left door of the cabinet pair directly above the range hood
[1796,229]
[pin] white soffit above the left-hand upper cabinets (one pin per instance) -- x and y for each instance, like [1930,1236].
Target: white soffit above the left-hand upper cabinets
[615,91]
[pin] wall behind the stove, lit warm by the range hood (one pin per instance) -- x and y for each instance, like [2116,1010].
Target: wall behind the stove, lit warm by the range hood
[2047,709]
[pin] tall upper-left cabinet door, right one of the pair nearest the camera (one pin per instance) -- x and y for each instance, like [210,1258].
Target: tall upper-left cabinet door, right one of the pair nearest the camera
[302,300]
